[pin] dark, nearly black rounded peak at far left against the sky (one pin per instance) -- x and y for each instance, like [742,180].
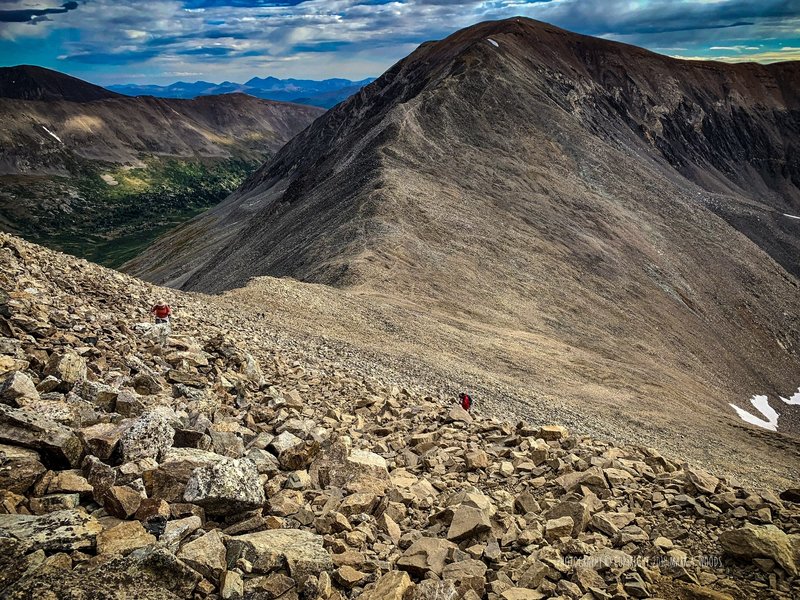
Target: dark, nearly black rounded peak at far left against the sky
[29,82]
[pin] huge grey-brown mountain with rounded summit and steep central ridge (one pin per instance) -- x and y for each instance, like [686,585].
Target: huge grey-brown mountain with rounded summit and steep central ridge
[620,223]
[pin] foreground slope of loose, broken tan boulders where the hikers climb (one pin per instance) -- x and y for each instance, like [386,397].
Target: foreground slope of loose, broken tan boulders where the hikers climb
[203,462]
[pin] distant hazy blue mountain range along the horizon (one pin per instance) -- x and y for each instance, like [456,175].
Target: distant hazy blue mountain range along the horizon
[325,94]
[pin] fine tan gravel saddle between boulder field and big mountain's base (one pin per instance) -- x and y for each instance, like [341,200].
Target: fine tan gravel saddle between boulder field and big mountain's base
[754,457]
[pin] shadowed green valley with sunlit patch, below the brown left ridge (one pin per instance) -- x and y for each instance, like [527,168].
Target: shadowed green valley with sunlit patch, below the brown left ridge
[110,224]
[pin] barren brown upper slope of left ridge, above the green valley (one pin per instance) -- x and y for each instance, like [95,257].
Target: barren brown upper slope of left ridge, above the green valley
[44,137]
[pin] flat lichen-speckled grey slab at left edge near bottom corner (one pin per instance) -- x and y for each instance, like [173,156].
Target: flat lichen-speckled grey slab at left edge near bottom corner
[60,531]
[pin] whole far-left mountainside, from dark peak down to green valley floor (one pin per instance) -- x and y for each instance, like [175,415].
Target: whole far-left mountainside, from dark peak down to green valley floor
[102,176]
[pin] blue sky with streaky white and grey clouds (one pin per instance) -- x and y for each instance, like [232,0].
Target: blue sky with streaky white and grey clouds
[160,41]
